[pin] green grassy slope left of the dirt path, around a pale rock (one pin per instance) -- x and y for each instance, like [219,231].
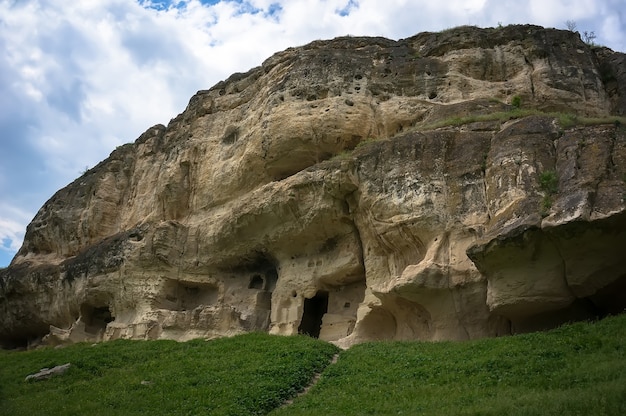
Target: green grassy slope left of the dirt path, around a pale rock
[243,375]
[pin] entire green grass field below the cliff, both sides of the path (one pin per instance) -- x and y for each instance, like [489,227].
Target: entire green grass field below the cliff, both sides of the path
[578,369]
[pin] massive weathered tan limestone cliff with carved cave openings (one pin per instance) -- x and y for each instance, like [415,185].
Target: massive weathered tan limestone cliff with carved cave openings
[336,191]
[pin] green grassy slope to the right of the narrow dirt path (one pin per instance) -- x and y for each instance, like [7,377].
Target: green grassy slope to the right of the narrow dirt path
[574,370]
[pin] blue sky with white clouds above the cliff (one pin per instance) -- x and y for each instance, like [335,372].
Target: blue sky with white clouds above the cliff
[79,78]
